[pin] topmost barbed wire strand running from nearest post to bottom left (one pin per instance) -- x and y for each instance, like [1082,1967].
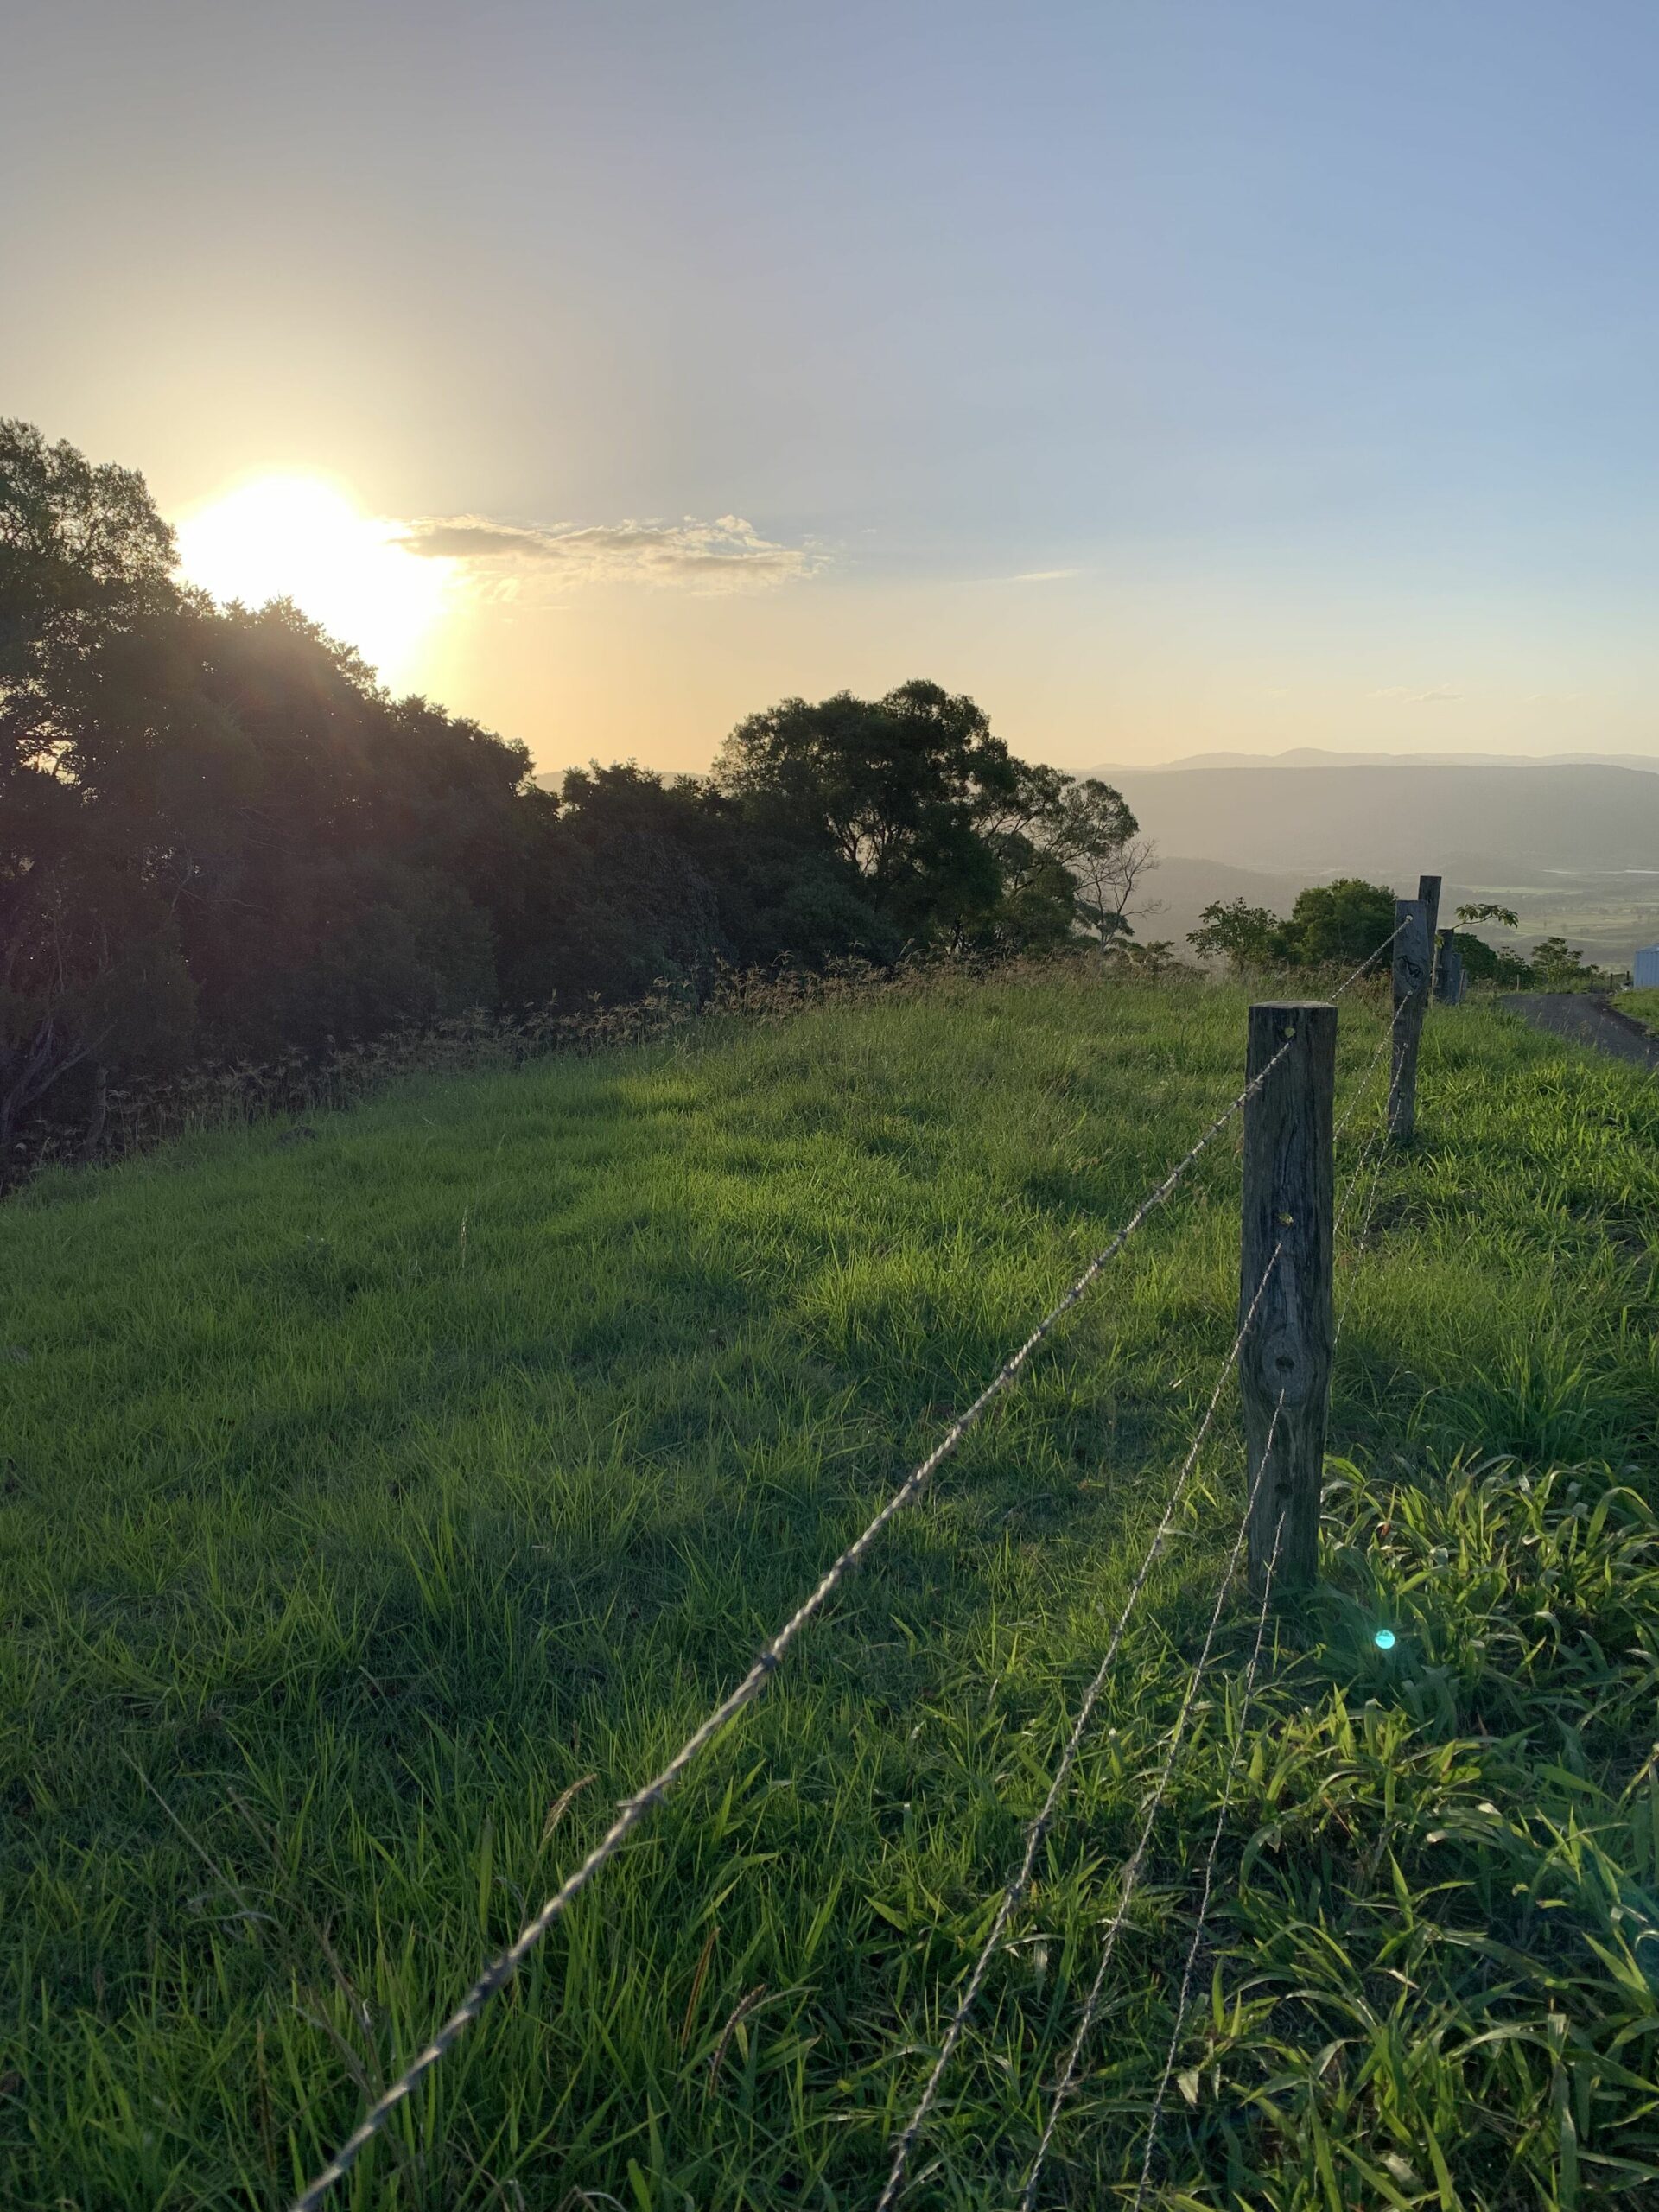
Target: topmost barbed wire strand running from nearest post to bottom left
[634,1811]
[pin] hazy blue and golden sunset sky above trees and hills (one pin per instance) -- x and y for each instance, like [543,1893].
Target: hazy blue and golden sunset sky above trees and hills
[1171,375]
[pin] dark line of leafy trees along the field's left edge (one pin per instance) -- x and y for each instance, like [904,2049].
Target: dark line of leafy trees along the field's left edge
[220,835]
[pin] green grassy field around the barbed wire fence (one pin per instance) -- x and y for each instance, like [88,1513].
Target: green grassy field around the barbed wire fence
[379,1510]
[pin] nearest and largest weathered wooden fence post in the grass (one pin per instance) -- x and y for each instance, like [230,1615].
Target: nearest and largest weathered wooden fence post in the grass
[1286,1350]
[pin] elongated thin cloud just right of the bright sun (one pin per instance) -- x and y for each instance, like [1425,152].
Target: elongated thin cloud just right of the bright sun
[705,556]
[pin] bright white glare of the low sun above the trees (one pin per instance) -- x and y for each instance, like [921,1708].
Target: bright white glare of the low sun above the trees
[306,541]
